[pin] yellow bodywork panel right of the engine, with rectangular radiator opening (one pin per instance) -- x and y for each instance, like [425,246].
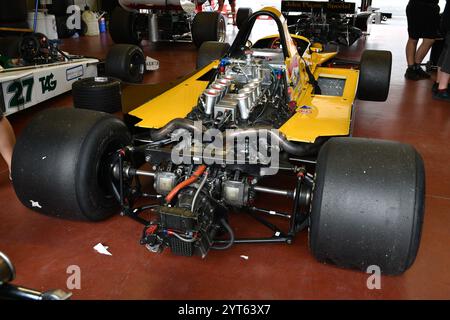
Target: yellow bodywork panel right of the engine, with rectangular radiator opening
[320,115]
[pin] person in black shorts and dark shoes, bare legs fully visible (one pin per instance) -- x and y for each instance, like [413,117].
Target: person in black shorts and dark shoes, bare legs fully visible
[423,23]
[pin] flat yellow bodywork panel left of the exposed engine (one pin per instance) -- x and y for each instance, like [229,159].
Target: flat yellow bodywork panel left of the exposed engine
[174,103]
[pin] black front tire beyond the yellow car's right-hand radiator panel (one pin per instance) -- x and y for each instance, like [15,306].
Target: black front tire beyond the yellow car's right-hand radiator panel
[375,75]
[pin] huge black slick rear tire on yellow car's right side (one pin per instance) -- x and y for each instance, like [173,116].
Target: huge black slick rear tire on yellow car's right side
[368,204]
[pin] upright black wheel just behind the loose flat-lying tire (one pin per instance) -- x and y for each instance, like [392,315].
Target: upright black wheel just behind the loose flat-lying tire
[126,62]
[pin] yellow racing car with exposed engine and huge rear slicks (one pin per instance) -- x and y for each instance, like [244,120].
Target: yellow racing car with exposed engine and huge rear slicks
[192,152]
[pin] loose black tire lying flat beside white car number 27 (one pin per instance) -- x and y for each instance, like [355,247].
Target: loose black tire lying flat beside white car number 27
[97,93]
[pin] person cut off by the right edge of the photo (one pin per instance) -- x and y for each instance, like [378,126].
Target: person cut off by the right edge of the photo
[443,76]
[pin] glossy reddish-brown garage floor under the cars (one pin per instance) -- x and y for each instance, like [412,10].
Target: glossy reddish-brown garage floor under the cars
[42,248]
